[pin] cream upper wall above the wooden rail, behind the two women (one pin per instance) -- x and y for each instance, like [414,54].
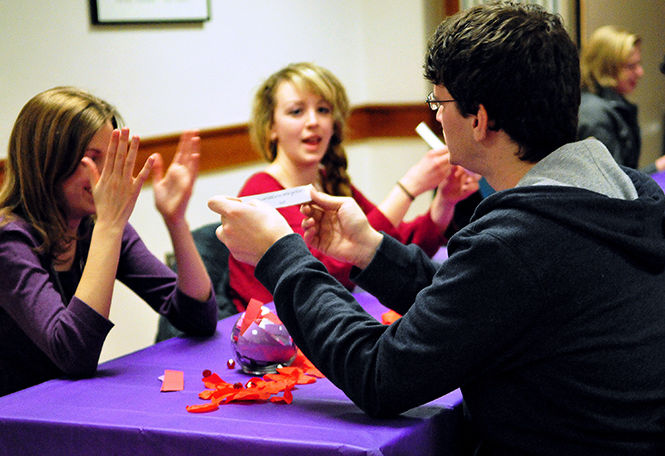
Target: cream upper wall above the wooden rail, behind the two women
[168,77]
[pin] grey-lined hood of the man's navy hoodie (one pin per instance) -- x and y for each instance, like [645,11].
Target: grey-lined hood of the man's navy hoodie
[592,196]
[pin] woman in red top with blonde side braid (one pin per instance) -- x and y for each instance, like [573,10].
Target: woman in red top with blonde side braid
[298,123]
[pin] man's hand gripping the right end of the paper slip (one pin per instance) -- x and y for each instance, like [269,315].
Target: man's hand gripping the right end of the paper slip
[338,227]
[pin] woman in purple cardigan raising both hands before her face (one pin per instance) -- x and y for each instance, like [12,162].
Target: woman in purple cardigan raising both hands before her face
[66,199]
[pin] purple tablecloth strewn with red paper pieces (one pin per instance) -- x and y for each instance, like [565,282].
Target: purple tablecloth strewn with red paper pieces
[121,411]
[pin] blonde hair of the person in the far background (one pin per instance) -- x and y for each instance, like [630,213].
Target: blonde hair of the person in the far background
[603,56]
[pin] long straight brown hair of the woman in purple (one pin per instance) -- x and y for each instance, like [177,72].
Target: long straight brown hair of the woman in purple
[47,143]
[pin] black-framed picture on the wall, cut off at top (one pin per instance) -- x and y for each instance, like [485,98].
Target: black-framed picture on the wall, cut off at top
[148,11]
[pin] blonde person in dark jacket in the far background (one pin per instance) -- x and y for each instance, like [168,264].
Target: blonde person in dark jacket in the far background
[611,67]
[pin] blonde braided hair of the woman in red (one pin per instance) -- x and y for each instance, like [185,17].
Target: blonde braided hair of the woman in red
[320,81]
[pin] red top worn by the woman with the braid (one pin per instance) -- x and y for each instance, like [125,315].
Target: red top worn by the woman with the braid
[244,286]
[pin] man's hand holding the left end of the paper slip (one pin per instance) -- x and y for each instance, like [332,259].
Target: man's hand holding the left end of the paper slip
[248,228]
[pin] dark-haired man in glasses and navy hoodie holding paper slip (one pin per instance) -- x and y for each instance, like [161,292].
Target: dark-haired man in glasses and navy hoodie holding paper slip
[548,312]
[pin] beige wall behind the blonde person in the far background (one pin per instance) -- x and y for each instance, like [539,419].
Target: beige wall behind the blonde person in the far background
[647,19]
